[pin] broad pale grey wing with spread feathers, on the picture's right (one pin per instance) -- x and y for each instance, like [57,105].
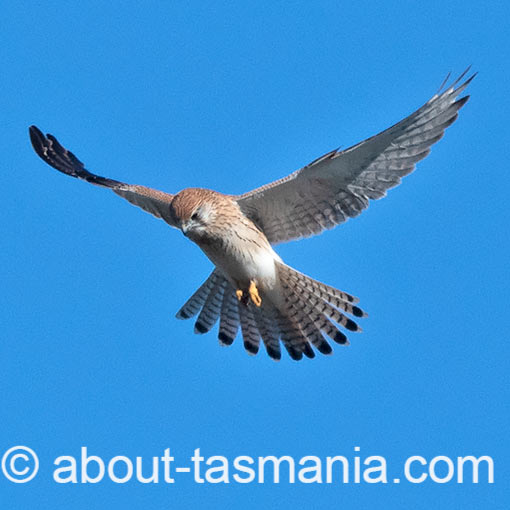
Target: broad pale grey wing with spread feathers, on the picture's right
[338,185]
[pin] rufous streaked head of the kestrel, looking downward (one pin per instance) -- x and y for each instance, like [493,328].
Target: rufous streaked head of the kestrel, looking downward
[194,211]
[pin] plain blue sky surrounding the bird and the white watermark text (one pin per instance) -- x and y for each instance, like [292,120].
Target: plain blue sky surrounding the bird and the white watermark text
[230,96]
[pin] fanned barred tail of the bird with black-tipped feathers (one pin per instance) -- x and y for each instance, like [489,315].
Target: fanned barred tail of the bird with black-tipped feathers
[307,311]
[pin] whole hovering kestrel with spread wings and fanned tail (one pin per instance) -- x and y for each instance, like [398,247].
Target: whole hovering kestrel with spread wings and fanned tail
[251,288]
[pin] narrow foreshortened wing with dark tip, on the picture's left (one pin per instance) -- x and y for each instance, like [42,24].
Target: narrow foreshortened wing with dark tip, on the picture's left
[150,200]
